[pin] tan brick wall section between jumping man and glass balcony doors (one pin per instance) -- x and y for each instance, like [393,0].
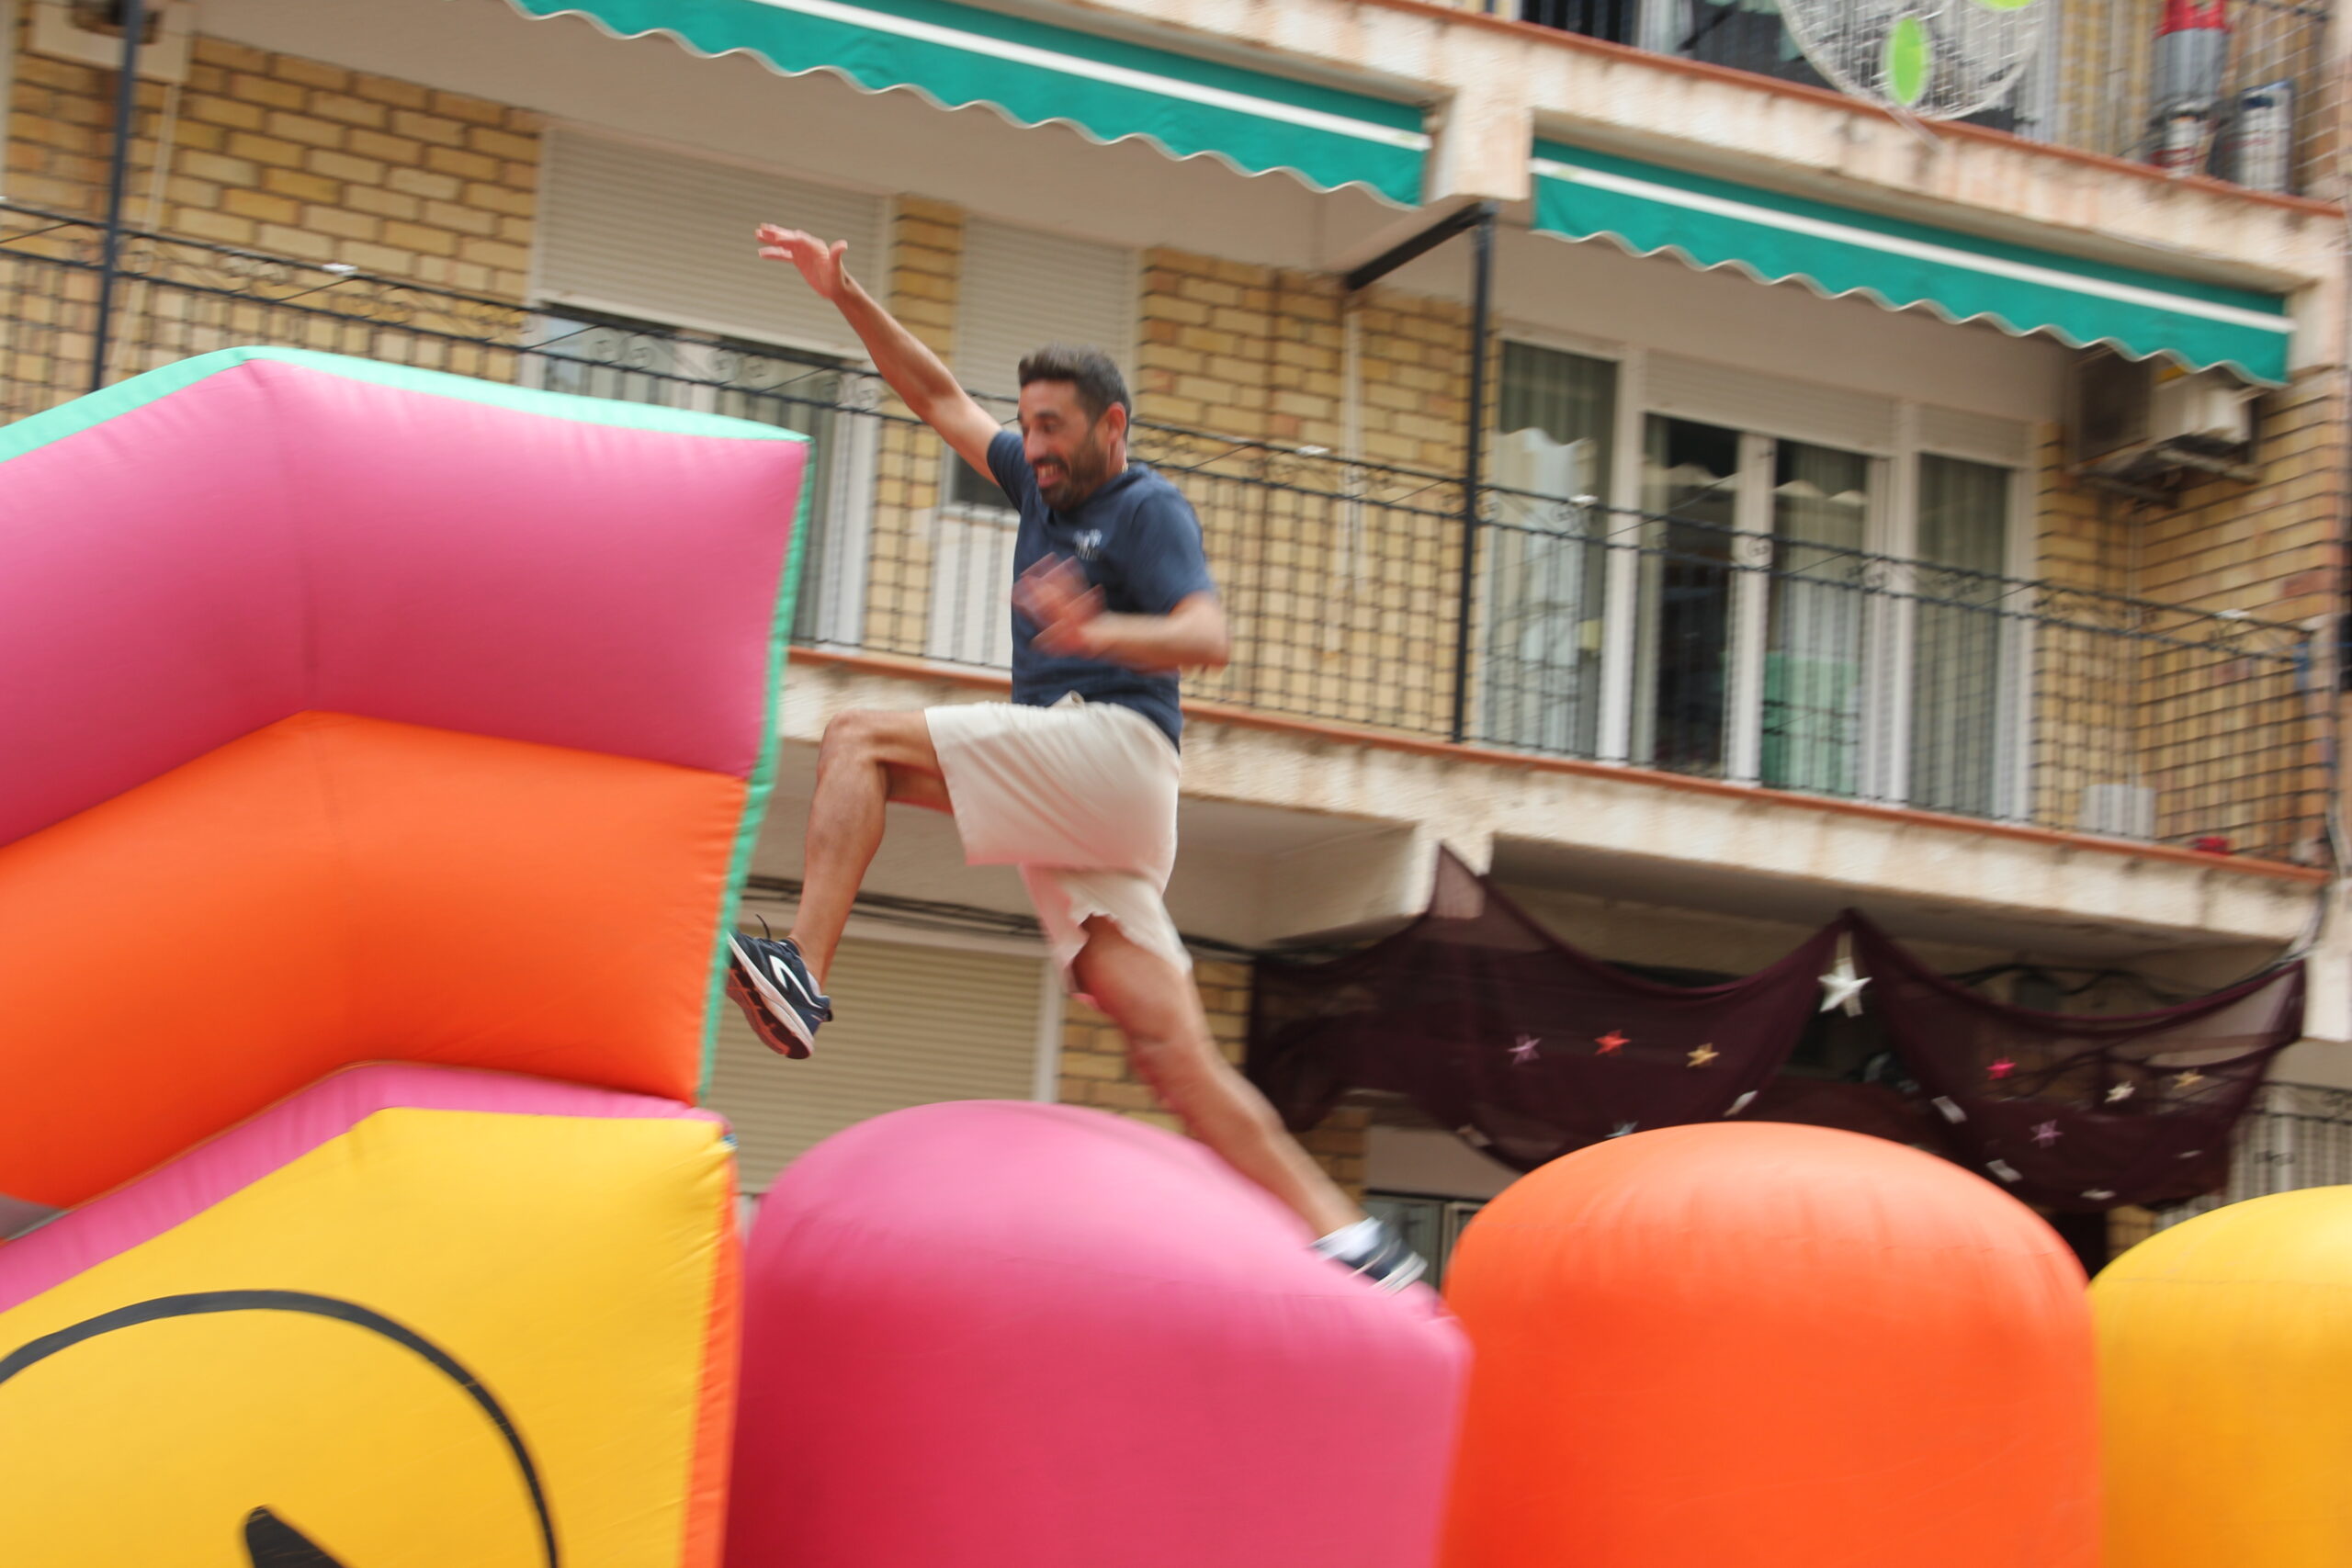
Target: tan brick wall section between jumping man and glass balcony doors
[1337,610]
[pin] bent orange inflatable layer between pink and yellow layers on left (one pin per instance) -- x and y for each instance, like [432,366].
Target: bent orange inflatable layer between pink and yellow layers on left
[330,892]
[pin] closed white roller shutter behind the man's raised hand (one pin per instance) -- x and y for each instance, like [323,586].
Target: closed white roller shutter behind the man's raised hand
[669,239]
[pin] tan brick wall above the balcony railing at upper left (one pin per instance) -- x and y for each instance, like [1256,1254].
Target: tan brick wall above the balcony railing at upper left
[295,159]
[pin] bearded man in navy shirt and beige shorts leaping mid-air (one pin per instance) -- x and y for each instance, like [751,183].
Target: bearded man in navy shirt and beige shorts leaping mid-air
[1076,779]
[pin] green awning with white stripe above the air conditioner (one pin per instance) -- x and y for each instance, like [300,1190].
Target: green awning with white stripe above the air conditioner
[1963,279]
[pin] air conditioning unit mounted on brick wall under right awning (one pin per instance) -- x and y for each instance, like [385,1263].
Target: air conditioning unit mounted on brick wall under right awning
[2144,420]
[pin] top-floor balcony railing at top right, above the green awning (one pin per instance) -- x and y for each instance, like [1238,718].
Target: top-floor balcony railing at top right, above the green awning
[2247,102]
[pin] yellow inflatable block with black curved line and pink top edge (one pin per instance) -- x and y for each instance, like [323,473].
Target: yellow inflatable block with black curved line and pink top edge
[408,1320]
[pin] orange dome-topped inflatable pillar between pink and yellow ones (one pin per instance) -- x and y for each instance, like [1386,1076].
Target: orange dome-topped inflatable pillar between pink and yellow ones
[1777,1348]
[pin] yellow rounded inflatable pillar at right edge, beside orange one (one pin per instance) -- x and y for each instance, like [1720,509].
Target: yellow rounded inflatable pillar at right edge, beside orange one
[2226,1388]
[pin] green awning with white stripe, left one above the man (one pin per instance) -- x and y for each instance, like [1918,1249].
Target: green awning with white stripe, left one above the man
[1038,74]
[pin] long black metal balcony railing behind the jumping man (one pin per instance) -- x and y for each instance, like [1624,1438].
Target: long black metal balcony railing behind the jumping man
[1681,641]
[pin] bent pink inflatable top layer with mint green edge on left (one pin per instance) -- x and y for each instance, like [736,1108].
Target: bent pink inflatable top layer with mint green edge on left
[262,532]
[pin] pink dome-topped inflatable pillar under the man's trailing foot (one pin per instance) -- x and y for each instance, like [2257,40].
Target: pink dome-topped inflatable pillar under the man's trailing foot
[1031,1336]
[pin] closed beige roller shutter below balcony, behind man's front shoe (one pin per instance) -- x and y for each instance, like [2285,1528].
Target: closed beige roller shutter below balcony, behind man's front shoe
[911,1026]
